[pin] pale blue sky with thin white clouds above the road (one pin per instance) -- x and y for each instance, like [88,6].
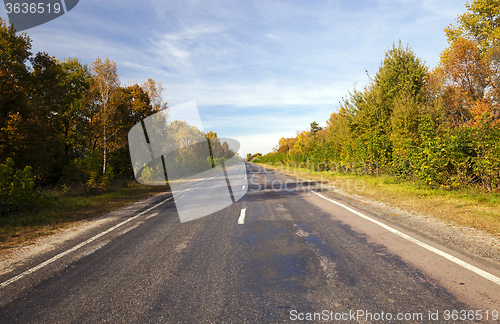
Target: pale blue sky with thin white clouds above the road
[258,70]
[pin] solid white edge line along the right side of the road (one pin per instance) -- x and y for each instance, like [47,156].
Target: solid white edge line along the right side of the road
[445,255]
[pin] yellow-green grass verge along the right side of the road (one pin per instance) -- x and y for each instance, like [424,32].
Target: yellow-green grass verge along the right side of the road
[470,207]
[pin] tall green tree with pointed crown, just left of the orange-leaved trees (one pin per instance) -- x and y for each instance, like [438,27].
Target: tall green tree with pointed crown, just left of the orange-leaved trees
[382,112]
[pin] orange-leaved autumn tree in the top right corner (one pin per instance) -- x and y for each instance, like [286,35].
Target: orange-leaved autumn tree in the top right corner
[471,63]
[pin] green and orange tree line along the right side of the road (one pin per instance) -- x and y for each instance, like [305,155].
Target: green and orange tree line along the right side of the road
[439,125]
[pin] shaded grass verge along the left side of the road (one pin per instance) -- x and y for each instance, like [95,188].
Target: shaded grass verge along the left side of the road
[65,208]
